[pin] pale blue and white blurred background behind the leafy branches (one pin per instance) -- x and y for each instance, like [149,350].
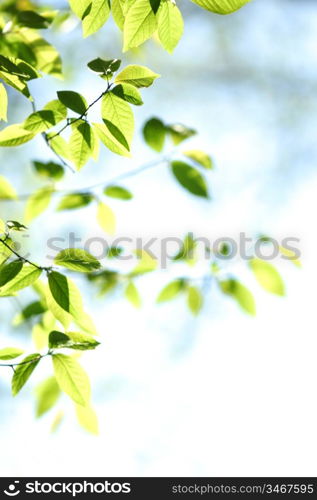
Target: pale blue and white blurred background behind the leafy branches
[222,394]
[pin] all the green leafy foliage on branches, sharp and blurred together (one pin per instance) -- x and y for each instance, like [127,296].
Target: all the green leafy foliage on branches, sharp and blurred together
[60,326]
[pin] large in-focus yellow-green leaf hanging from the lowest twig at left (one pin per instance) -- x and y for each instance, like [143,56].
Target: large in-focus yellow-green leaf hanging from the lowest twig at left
[71,378]
